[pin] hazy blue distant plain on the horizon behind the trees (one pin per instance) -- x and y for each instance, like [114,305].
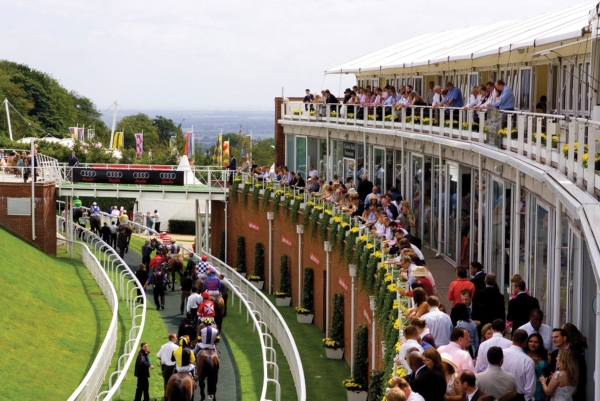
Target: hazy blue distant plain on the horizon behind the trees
[209,123]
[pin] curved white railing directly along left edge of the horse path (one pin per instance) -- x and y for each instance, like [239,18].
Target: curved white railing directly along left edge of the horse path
[127,286]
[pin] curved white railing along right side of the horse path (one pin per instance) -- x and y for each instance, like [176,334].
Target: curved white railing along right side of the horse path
[265,317]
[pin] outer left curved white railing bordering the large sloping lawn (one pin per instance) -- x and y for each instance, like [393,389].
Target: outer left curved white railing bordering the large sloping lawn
[91,383]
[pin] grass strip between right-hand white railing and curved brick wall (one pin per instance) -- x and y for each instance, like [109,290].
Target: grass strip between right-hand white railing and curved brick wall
[323,376]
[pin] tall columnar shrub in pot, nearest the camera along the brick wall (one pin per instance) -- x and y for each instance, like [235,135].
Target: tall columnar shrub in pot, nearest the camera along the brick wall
[357,385]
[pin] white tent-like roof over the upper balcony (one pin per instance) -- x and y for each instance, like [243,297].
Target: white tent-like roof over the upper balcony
[479,41]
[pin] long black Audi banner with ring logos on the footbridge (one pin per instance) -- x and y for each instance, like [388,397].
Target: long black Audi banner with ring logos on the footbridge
[137,177]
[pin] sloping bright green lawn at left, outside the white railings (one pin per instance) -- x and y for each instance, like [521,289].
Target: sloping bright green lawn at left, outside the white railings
[55,319]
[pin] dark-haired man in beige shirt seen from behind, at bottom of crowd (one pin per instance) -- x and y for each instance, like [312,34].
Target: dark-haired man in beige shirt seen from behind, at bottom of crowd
[494,381]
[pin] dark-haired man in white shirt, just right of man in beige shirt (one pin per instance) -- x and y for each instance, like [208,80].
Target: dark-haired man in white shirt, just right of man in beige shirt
[520,365]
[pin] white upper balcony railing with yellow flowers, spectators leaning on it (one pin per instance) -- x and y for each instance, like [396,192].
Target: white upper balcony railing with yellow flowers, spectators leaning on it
[520,132]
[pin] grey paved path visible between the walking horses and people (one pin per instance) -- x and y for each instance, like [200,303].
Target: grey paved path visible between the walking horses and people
[227,386]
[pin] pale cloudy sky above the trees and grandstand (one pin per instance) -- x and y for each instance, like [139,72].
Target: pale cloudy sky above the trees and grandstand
[221,55]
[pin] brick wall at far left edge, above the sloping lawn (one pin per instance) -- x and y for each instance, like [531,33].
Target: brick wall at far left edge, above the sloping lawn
[45,214]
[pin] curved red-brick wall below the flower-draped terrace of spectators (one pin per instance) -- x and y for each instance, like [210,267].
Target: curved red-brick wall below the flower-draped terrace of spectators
[253,225]
